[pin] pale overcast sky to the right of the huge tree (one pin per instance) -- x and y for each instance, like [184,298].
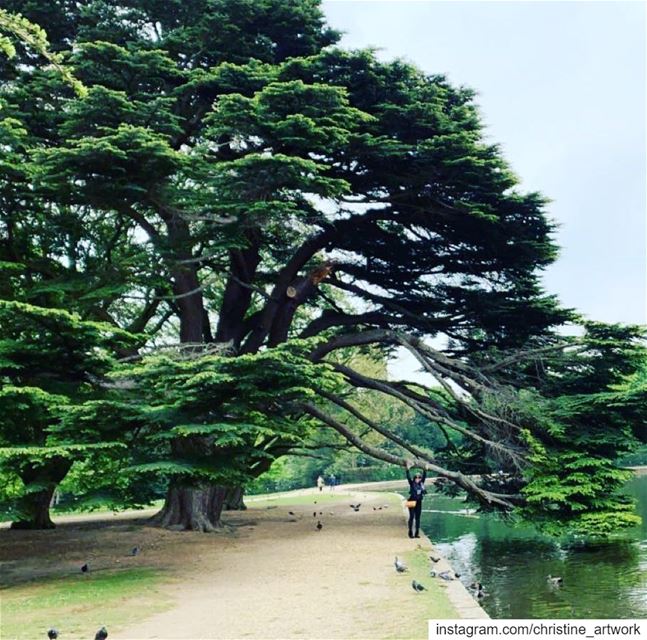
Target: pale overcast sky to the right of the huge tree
[561,86]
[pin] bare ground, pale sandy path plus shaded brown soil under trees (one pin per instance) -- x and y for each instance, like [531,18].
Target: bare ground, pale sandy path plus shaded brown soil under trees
[272,575]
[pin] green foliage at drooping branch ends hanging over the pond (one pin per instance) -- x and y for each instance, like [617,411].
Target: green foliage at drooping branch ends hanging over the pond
[576,428]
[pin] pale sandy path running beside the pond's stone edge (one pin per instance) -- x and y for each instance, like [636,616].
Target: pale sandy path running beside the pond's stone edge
[281,578]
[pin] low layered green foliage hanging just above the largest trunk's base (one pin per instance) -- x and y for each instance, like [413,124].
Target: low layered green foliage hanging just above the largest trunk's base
[211,418]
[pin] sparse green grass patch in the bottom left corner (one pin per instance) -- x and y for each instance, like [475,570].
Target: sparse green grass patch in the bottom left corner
[78,606]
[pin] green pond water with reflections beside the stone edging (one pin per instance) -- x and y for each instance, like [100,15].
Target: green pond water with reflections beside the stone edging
[513,561]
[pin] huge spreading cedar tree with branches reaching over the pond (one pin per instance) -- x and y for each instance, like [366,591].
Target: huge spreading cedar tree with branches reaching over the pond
[219,179]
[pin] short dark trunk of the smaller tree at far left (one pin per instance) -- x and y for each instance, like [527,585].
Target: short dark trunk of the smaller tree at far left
[34,505]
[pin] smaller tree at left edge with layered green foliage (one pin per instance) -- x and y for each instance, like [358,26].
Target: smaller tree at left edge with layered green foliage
[51,362]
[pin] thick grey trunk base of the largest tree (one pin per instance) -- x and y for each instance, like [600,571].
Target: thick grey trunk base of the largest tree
[194,508]
